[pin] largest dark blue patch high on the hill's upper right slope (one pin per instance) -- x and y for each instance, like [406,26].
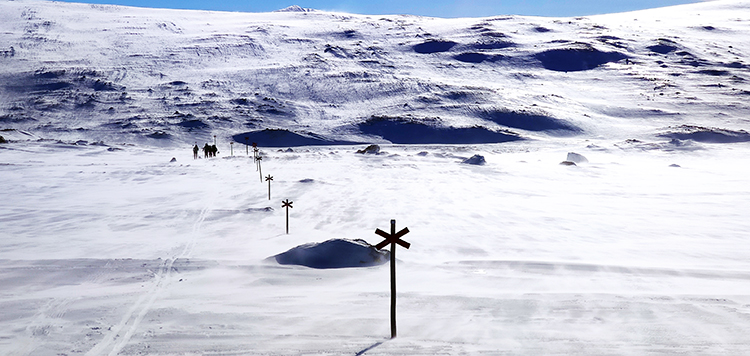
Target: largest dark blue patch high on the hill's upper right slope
[577,58]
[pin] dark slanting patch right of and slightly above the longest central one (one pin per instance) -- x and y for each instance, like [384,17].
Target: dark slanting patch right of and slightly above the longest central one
[528,121]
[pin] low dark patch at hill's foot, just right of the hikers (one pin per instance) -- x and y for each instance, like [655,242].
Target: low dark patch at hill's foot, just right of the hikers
[286,138]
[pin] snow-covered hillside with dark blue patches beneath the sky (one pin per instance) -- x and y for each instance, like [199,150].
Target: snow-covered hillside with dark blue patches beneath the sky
[120,74]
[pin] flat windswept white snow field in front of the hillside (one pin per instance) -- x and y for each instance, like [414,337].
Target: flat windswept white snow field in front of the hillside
[121,252]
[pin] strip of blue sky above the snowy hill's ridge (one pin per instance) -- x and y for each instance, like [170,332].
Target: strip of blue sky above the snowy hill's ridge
[438,8]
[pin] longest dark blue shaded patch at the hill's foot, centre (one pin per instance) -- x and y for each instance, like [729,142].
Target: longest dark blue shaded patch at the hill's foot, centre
[426,131]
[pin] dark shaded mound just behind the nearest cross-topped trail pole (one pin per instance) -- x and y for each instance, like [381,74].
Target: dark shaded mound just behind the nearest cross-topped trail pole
[334,253]
